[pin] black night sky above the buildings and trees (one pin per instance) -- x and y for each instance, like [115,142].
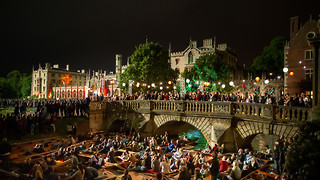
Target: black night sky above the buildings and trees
[88,34]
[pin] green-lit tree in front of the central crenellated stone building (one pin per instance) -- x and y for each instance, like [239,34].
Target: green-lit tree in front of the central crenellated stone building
[209,68]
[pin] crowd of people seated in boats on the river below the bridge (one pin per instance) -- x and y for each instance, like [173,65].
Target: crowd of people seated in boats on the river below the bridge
[159,155]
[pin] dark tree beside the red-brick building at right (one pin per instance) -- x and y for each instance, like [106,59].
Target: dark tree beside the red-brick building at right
[271,59]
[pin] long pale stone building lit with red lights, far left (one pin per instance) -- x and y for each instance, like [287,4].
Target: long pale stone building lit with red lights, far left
[55,82]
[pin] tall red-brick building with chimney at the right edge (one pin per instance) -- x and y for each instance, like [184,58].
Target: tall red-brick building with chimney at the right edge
[299,57]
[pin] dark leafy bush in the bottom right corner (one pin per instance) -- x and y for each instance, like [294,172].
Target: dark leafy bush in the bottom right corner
[301,162]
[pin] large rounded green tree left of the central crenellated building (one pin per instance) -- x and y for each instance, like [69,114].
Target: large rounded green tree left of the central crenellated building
[149,64]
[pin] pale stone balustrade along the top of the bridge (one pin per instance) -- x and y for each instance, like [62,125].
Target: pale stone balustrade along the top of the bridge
[243,110]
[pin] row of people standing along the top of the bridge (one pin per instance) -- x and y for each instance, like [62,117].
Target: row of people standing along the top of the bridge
[262,98]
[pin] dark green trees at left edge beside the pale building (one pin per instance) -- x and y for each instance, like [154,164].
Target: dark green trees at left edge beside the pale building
[15,85]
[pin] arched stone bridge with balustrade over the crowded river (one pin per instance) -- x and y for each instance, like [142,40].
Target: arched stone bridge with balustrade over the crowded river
[230,123]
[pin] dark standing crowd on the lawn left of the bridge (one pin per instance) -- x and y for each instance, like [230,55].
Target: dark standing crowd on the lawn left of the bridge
[41,116]
